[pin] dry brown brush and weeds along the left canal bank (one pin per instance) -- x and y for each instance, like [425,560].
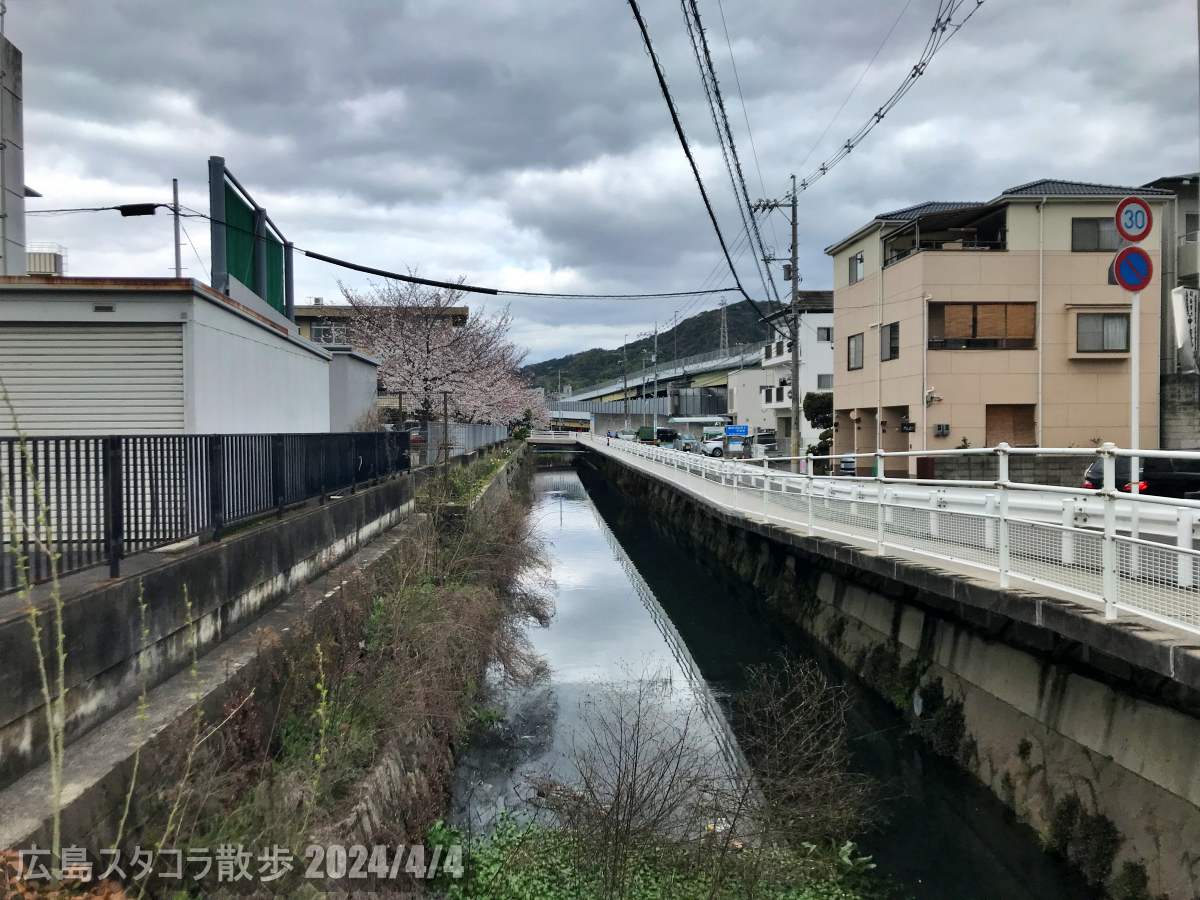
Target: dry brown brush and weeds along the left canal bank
[351,739]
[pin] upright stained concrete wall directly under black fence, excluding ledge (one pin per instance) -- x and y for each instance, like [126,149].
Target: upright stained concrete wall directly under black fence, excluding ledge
[229,584]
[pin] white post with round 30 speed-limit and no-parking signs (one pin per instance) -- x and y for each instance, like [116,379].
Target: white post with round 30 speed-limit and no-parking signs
[1135,271]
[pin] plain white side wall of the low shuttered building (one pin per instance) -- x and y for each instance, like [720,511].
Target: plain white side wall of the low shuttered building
[244,377]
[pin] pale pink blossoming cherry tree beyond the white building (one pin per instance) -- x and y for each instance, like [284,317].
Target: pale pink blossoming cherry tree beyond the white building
[411,329]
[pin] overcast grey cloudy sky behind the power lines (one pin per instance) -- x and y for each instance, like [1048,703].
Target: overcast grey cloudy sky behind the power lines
[525,145]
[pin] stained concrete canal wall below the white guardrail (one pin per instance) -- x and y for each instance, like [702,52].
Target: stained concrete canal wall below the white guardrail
[1088,730]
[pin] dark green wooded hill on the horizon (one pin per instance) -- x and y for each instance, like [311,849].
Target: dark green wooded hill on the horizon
[697,334]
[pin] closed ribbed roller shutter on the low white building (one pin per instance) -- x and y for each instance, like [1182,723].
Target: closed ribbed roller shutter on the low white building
[89,380]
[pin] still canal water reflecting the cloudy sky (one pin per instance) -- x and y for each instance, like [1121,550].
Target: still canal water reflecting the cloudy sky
[631,602]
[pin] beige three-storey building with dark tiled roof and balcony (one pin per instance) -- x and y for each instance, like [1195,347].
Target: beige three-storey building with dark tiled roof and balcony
[967,323]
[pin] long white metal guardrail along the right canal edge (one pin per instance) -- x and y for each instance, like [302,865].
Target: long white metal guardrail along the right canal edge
[1120,551]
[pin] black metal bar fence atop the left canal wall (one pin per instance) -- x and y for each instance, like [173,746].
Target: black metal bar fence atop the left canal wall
[69,503]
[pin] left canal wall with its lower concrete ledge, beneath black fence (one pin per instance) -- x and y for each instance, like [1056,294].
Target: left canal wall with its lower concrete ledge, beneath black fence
[251,596]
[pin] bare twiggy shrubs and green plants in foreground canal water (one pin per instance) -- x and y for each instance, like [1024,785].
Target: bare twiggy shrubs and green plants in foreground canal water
[665,802]
